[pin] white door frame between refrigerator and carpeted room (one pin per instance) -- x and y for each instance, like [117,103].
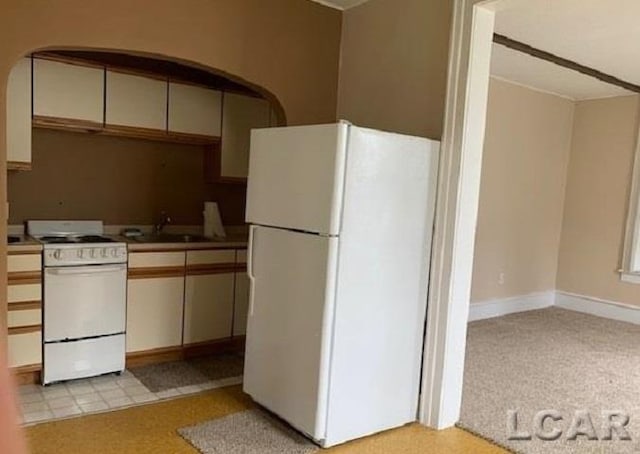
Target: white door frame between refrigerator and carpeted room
[456,212]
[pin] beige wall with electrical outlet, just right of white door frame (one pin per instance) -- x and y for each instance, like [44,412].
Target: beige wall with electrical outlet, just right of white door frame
[527,144]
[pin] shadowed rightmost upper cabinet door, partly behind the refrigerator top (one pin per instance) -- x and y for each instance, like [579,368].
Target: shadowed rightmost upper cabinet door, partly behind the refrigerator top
[240,115]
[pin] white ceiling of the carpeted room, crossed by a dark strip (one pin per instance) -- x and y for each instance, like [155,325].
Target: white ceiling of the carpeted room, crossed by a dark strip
[601,34]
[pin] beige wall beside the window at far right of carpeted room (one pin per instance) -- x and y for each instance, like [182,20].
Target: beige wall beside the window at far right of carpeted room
[599,180]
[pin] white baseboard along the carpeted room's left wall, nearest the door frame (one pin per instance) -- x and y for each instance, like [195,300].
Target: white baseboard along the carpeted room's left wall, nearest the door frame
[504,306]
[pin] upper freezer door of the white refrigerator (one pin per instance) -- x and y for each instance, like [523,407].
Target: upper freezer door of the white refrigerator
[296,177]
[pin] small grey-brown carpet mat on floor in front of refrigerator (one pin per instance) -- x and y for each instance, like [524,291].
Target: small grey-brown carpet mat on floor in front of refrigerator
[247,432]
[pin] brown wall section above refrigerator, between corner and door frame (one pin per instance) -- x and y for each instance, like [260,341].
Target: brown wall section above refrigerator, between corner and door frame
[394,65]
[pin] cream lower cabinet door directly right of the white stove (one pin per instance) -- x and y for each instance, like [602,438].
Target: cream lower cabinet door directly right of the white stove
[154,313]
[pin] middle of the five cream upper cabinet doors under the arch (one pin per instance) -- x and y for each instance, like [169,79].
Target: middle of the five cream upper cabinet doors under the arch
[136,101]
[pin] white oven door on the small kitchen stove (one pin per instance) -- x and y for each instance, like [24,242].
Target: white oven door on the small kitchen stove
[84,301]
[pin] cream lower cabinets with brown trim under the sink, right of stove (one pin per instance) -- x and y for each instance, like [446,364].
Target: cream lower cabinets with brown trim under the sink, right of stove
[206,301]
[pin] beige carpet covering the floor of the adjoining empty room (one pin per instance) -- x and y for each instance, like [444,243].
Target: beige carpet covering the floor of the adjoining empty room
[551,359]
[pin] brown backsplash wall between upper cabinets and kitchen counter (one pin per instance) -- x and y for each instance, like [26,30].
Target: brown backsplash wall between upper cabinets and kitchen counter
[121,181]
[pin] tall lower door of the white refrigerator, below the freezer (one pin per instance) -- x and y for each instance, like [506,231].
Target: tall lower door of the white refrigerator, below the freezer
[288,333]
